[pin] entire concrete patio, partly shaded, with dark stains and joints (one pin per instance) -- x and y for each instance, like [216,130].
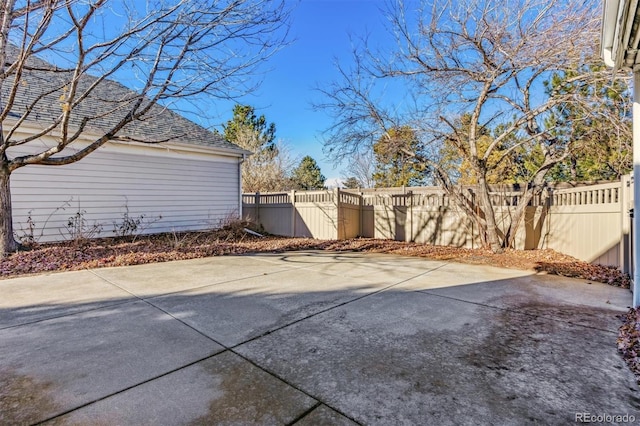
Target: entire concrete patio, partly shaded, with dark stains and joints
[310,338]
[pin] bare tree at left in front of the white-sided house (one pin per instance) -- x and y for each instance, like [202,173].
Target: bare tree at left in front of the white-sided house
[58,56]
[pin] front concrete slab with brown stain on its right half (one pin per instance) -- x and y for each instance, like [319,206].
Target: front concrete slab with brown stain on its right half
[222,390]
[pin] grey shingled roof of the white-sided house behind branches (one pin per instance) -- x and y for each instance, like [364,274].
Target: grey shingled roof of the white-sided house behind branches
[42,86]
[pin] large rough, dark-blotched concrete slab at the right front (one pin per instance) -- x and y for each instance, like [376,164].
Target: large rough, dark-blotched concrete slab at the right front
[449,362]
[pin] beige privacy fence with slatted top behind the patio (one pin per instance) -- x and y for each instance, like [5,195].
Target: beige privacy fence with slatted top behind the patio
[591,223]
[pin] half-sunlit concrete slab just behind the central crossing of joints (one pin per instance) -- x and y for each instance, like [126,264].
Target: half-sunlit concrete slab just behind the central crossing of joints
[232,313]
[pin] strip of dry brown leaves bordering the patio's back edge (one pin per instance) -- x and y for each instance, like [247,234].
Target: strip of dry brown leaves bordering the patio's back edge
[166,247]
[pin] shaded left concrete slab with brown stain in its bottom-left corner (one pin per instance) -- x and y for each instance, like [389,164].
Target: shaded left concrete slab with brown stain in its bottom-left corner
[66,362]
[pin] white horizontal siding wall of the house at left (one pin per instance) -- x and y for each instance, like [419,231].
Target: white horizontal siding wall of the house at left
[189,190]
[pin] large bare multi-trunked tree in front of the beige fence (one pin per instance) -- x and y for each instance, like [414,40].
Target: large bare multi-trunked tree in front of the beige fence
[486,61]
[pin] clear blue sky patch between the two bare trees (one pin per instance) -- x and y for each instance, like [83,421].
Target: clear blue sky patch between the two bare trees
[320,31]
